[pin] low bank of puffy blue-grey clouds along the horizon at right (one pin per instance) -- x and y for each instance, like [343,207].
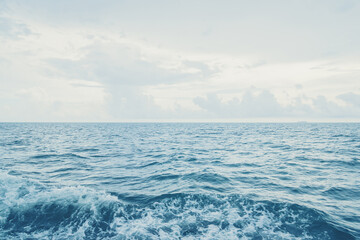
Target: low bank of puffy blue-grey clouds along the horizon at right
[263,104]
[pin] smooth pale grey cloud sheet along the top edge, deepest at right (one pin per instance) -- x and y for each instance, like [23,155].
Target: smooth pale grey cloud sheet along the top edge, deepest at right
[270,30]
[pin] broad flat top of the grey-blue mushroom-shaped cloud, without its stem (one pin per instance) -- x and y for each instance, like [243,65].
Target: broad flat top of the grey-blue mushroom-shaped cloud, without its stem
[118,64]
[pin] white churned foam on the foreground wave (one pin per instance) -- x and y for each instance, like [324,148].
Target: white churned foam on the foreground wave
[180,216]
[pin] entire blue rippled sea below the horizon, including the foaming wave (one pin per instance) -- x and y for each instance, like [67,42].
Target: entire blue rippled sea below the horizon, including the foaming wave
[179,181]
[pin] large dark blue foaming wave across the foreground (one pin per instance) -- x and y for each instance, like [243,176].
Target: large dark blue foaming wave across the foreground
[29,210]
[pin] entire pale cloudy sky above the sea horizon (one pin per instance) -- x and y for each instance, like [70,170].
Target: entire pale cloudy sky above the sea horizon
[203,60]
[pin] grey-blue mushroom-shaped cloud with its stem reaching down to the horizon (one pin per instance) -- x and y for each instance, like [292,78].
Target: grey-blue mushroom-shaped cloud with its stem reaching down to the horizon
[124,70]
